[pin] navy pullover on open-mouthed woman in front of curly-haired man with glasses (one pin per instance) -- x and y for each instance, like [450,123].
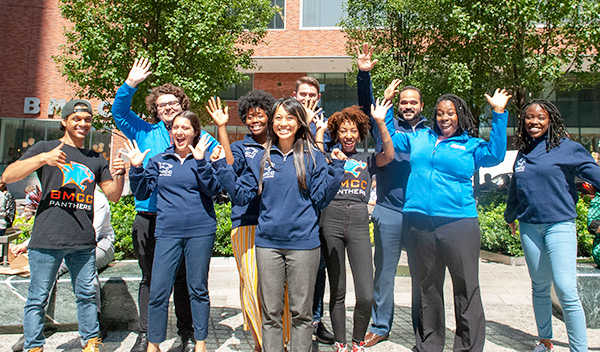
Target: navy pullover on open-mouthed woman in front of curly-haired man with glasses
[184,194]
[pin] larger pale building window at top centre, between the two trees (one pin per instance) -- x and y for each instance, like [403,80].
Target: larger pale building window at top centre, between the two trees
[321,13]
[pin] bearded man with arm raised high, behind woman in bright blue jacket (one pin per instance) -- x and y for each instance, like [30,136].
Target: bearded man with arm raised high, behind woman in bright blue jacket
[391,187]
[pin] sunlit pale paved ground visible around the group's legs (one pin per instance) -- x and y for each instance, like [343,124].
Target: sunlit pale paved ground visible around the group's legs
[506,294]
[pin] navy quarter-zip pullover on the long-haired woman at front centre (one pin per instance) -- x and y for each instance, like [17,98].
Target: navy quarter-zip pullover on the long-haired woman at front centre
[288,217]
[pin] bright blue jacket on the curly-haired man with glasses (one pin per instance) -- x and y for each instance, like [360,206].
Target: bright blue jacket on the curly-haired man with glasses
[153,136]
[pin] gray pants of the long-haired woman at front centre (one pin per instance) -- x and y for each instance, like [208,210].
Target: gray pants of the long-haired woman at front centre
[297,268]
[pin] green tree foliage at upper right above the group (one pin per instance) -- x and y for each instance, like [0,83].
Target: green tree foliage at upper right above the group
[470,47]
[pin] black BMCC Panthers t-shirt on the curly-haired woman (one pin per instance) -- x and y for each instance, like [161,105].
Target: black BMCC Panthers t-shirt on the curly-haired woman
[356,185]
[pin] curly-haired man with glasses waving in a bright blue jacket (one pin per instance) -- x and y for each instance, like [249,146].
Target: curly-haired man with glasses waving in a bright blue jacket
[163,103]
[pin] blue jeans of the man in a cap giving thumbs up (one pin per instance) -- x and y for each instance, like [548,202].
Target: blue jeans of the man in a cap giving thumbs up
[44,264]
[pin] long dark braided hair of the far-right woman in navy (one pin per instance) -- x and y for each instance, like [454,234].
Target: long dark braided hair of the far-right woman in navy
[556,127]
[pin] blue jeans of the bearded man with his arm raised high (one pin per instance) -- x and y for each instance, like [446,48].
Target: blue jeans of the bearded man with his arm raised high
[388,247]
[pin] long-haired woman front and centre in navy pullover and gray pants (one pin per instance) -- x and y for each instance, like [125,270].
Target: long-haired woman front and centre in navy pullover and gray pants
[294,182]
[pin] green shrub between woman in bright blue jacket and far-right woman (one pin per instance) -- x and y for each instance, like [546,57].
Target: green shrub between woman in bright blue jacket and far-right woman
[495,233]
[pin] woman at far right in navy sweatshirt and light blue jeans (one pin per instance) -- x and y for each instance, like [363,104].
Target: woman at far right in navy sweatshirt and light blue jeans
[542,196]
